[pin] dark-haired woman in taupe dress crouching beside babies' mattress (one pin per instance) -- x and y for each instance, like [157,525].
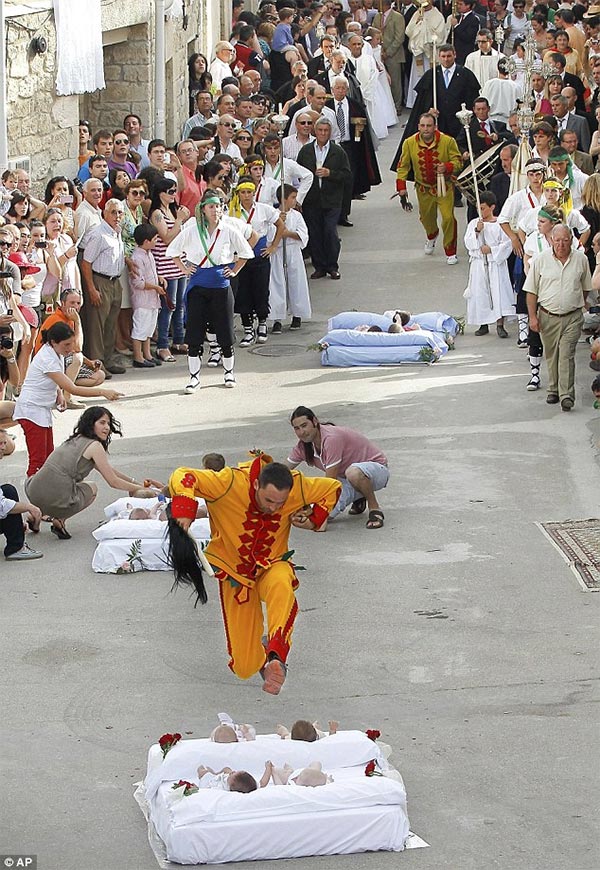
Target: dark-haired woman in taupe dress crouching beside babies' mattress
[59,487]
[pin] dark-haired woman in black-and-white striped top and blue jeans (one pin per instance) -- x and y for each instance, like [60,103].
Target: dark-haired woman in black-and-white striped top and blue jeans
[168,219]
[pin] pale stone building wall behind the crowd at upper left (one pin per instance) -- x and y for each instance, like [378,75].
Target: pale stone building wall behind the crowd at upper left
[43,126]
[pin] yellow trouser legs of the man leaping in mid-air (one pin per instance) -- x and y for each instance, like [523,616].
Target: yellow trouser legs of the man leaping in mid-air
[243,618]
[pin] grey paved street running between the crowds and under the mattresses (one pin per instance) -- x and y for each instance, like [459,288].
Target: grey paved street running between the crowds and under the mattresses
[457,629]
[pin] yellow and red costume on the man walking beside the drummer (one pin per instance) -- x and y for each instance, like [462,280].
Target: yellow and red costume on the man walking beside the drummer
[423,158]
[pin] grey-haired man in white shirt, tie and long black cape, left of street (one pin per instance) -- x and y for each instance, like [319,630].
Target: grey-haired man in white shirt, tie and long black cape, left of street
[361,154]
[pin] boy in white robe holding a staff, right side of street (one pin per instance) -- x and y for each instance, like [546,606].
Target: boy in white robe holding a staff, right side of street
[489,294]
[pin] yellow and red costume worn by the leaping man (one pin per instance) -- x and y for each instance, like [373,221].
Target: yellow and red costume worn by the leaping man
[247,550]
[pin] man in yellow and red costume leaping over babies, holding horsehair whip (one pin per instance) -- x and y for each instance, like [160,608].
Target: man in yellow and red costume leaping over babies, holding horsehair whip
[252,509]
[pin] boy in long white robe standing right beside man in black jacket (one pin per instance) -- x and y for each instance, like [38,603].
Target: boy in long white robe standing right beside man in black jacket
[296,297]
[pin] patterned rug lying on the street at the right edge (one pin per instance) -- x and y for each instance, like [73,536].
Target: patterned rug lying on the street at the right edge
[578,542]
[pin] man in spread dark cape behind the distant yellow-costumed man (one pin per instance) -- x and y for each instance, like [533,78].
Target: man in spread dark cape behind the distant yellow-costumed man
[455,86]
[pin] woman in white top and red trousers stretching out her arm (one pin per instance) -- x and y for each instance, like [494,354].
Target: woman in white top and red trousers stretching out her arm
[42,391]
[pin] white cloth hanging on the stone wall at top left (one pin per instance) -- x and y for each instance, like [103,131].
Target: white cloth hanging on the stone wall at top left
[80,58]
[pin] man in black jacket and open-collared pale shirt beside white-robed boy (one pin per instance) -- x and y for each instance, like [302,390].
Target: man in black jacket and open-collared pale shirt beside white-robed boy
[323,203]
